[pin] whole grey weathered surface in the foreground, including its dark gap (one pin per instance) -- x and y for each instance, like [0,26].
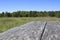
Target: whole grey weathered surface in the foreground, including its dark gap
[33,31]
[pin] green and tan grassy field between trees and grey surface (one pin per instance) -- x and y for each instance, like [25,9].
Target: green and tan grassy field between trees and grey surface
[10,22]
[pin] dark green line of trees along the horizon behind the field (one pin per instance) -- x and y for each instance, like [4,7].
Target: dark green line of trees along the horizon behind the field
[31,14]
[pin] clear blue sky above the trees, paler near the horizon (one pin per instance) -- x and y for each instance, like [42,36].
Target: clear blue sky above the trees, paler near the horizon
[27,5]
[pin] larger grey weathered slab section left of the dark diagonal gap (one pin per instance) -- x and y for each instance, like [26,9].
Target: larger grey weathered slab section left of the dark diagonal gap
[29,31]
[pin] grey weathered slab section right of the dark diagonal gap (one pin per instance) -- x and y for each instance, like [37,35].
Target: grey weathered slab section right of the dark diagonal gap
[52,31]
